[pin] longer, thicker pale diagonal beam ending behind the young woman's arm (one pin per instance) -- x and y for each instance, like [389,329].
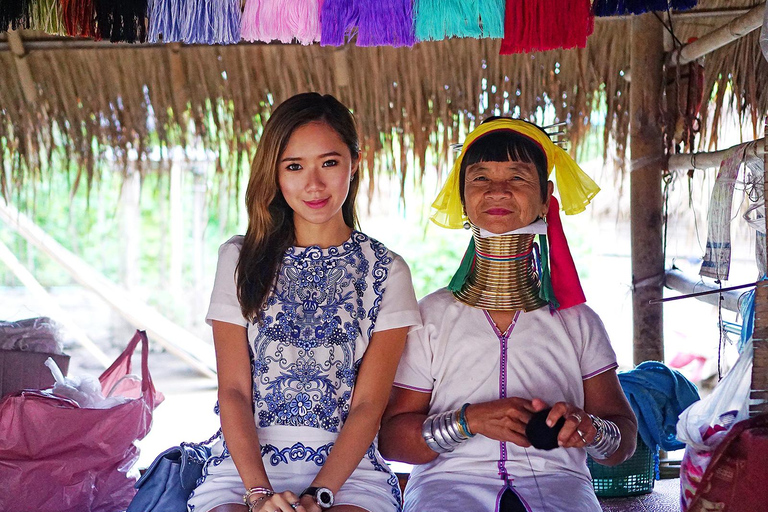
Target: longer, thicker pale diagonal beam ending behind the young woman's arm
[176,340]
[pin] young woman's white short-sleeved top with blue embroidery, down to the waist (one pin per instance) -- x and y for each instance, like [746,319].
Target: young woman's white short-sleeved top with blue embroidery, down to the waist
[327,303]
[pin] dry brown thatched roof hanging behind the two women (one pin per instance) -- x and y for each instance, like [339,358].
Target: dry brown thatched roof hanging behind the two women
[107,105]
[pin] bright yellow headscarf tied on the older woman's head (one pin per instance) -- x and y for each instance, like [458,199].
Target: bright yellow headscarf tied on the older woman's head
[575,187]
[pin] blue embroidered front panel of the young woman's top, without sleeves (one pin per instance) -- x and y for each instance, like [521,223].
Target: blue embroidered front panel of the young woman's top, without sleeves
[304,361]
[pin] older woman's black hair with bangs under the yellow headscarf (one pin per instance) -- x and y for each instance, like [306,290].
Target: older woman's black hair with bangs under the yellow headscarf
[502,146]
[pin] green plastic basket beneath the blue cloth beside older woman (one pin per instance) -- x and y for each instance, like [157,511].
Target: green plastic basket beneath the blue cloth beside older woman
[632,477]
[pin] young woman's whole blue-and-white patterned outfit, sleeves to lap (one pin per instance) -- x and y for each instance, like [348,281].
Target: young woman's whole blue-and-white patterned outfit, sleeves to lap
[305,355]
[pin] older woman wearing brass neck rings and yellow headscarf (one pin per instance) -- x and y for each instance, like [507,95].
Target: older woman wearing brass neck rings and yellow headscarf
[507,339]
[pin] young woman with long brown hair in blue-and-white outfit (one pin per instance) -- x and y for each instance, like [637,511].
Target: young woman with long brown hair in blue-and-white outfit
[309,321]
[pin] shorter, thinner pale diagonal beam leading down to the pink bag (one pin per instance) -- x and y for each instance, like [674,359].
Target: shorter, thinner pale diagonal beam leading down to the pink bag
[50,307]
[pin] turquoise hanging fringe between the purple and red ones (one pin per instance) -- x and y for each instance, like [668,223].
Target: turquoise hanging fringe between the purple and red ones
[441,19]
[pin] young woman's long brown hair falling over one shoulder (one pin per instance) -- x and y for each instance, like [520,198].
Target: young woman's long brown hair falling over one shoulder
[270,220]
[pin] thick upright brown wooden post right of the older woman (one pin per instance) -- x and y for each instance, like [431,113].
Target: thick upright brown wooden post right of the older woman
[647,150]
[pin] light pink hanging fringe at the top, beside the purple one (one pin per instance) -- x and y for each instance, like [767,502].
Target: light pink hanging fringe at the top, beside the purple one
[281,20]
